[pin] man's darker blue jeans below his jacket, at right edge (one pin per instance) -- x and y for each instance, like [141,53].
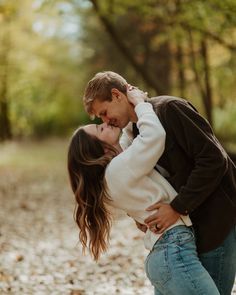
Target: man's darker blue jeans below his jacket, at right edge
[221,263]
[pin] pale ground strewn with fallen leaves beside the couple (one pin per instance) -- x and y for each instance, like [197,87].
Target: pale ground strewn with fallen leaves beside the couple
[39,249]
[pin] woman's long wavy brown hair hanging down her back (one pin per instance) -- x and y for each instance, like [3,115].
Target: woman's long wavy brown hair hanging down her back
[87,162]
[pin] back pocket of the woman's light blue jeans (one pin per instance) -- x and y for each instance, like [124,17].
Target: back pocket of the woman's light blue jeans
[156,266]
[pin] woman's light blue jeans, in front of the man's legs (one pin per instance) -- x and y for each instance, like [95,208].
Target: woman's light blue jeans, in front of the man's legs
[173,266]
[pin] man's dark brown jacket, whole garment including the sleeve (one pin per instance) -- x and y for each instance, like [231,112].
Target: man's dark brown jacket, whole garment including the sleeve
[200,171]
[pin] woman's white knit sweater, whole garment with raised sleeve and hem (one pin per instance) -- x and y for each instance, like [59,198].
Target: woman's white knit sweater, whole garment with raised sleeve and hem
[132,181]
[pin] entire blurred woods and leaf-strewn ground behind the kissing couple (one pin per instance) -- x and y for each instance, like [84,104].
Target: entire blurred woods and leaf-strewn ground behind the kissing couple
[49,49]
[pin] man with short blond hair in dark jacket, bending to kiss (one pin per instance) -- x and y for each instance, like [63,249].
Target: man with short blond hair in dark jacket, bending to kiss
[194,163]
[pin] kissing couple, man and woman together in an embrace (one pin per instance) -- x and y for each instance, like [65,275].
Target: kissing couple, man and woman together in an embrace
[169,173]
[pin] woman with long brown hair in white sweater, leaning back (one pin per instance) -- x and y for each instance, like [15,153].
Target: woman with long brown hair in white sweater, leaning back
[103,176]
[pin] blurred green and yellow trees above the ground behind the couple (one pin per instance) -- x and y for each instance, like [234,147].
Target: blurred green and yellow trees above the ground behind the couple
[49,49]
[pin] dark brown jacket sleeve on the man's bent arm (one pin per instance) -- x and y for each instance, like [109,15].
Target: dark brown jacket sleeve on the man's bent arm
[195,136]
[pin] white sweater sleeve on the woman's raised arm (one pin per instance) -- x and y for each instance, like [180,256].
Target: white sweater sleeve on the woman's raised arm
[141,156]
